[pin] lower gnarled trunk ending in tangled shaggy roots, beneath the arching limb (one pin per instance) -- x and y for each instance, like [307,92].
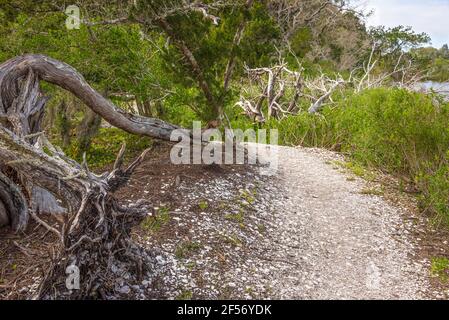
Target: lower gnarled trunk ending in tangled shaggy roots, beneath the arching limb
[96,234]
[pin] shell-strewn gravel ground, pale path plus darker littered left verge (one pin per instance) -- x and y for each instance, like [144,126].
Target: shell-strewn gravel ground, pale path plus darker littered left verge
[309,231]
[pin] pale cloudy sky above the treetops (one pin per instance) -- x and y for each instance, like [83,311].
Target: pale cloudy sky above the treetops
[429,16]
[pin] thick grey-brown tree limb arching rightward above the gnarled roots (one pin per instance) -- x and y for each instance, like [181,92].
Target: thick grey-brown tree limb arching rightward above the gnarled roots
[63,75]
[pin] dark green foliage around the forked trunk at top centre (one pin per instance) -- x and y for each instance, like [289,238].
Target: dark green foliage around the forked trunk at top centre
[212,46]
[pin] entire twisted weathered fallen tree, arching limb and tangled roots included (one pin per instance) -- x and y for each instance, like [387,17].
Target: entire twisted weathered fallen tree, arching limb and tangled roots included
[94,235]
